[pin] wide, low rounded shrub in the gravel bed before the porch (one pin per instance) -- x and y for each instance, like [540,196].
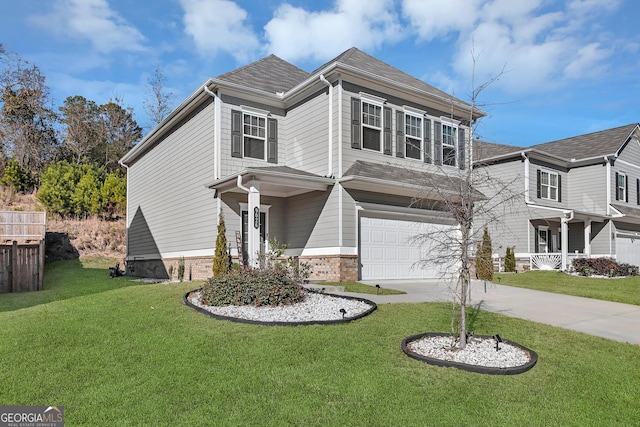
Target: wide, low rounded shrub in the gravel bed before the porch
[270,287]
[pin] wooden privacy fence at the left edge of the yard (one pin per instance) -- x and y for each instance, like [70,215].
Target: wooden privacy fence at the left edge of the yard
[22,251]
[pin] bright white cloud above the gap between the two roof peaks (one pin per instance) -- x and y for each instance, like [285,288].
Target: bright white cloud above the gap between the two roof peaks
[295,33]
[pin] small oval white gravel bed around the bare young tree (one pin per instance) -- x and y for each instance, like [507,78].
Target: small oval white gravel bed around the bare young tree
[478,352]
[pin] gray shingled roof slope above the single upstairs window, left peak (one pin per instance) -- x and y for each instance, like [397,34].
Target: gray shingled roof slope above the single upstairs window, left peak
[270,74]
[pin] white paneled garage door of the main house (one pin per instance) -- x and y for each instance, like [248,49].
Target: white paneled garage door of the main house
[386,251]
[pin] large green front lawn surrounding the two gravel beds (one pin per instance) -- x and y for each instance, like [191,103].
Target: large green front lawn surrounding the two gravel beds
[115,352]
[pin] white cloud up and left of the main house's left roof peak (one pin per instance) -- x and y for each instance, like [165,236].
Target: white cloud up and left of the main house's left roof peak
[220,26]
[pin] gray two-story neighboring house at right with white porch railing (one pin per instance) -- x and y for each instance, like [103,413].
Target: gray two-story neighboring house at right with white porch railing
[580,197]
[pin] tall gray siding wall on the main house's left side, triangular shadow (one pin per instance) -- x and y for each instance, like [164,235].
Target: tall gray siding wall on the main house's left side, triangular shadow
[169,208]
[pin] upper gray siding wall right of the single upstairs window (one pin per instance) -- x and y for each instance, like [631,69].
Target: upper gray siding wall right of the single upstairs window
[307,134]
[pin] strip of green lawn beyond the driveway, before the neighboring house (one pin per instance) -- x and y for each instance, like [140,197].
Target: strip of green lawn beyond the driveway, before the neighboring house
[625,290]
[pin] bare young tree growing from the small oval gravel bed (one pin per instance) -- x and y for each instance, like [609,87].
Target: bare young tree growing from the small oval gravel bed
[464,195]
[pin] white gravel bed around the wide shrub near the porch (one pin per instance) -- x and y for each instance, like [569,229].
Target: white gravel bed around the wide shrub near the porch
[314,307]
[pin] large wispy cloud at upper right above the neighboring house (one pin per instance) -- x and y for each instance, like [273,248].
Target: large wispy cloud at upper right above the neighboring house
[542,45]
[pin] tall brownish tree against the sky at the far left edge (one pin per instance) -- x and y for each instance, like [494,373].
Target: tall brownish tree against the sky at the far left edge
[27,122]
